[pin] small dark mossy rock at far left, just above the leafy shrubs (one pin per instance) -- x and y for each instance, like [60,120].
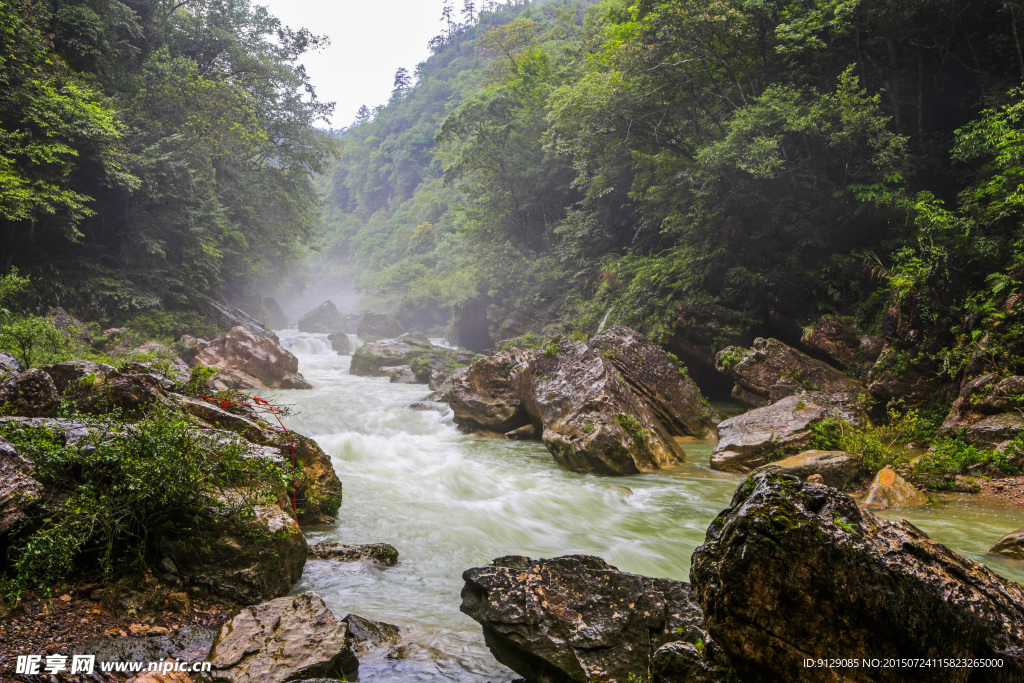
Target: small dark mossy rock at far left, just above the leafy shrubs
[96,388]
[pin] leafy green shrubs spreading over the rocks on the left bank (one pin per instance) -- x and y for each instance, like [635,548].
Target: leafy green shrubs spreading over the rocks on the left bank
[137,484]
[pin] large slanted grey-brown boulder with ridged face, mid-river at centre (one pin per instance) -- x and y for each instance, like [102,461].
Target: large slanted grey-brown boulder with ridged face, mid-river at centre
[589,417]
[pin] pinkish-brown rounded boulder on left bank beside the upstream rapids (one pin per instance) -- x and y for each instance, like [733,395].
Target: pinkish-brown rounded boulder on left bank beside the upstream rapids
[259,357]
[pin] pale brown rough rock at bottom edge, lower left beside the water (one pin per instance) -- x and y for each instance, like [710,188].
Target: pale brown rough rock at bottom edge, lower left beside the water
[287,639]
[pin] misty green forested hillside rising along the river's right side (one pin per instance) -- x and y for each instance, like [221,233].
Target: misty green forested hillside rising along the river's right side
[704,170]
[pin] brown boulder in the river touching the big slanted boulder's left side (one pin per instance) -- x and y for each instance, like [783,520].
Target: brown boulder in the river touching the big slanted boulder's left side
[484,398]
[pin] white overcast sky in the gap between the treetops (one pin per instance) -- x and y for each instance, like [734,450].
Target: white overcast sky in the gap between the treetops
[370,39]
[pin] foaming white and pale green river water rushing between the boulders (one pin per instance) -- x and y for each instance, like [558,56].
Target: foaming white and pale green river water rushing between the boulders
[450,502]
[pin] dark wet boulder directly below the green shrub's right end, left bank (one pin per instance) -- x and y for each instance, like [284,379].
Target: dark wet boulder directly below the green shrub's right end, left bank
[244,566]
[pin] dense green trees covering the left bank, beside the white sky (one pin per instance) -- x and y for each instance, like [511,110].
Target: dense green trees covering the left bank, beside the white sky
[153,150]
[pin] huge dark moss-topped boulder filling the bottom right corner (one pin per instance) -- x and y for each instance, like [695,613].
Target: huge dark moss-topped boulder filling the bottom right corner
[794,572]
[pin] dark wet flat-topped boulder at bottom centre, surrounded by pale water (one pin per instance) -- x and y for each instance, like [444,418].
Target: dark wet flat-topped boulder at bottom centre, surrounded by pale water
[578,619]
